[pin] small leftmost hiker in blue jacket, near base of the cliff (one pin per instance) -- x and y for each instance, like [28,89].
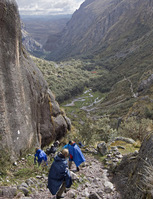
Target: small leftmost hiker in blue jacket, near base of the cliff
[40,157]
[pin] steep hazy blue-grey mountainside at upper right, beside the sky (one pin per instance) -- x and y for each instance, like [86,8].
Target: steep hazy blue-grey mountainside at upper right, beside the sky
[92,29]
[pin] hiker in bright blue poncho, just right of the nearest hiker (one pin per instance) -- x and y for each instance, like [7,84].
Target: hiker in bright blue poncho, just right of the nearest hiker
[76,155]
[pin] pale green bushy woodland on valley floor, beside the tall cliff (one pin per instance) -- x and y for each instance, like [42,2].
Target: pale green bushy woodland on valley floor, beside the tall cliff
[65,79]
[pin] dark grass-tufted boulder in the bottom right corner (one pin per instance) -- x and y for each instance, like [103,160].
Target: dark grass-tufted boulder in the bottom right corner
[135,173]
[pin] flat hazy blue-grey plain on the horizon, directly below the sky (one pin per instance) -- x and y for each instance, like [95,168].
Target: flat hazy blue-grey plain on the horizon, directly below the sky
[41,26]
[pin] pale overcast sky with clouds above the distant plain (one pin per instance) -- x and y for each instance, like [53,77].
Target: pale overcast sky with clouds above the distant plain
[48,6]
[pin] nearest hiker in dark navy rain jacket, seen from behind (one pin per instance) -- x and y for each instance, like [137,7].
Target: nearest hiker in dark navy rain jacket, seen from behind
[59,177]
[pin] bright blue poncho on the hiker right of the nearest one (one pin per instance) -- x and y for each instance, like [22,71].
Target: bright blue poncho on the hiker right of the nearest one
[77,154]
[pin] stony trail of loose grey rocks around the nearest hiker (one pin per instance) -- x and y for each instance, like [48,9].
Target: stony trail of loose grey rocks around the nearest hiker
[92,181]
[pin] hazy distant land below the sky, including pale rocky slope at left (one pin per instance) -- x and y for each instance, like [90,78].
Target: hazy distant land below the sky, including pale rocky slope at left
[36,30]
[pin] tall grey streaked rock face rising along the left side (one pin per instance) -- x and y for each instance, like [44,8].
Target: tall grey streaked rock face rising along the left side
[29,114]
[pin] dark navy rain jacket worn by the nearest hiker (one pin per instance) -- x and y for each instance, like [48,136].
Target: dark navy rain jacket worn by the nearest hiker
[58,173]
